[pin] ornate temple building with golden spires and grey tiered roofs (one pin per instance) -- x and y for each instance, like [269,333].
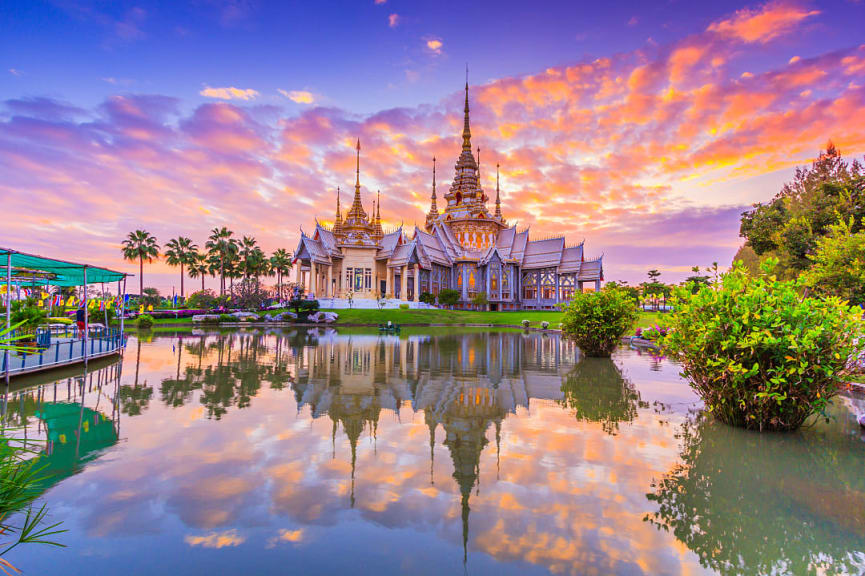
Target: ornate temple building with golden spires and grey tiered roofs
[463,247]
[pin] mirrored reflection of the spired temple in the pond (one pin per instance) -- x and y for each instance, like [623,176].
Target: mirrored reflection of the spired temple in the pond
[462,383]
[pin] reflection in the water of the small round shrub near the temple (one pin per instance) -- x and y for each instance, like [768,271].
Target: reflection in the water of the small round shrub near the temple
[596,391]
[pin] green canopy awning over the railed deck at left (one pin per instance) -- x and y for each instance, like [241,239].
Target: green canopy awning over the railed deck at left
[55,272]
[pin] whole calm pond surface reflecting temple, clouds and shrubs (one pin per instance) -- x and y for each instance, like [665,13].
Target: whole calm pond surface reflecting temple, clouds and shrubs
[431,452]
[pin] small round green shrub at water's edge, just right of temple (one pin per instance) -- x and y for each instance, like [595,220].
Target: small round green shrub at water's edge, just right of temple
[598,320]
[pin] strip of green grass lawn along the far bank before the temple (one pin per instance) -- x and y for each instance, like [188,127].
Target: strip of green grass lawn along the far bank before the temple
[435,316]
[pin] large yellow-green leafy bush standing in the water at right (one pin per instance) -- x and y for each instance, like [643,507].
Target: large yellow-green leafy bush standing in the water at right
[760,354]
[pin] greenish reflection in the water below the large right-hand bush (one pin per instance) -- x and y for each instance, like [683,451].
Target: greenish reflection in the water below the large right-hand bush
[749,503]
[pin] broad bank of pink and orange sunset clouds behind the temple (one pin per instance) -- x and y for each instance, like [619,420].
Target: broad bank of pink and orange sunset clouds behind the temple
[620,150]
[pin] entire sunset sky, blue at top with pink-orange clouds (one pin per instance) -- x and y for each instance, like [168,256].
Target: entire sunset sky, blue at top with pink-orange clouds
[644,130]
